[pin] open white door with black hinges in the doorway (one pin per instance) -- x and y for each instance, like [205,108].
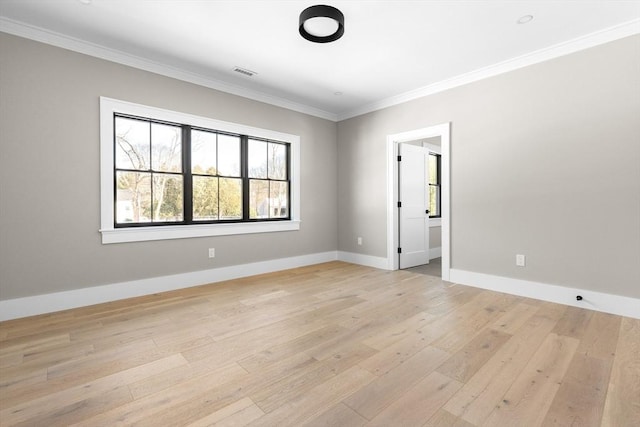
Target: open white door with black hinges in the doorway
[413,205]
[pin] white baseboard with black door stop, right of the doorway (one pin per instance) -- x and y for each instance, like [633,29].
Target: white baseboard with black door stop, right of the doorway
[592,300]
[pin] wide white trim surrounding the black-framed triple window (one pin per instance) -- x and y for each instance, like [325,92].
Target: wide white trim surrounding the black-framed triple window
[110,234]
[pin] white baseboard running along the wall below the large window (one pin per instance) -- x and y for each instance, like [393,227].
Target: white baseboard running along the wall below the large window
[47,303]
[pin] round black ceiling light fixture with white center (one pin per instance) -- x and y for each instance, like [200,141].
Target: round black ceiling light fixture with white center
[321,24]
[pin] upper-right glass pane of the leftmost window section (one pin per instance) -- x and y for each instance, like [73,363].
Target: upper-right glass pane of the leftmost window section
[166,148]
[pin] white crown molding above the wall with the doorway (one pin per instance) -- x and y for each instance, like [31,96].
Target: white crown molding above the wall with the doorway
[581,43]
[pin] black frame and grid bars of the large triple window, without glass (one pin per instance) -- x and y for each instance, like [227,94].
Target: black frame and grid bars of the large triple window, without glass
[187,176]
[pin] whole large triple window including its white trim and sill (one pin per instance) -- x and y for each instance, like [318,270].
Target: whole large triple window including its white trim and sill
[170,175]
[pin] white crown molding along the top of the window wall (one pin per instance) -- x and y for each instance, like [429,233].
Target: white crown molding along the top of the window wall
[21,29]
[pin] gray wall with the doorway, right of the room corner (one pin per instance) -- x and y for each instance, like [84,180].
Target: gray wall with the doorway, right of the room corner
[545,161]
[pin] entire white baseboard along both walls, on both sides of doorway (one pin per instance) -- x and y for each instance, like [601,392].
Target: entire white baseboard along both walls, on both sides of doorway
[47,303]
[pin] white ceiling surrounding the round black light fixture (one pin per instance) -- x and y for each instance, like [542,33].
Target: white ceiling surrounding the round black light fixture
[390,49]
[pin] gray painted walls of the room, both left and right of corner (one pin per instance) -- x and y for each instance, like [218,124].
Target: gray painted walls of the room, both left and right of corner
[532,152]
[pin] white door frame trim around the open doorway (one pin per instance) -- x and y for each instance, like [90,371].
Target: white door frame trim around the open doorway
[444,132]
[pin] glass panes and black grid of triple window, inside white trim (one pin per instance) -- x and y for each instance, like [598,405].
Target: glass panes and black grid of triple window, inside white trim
[168,173]
